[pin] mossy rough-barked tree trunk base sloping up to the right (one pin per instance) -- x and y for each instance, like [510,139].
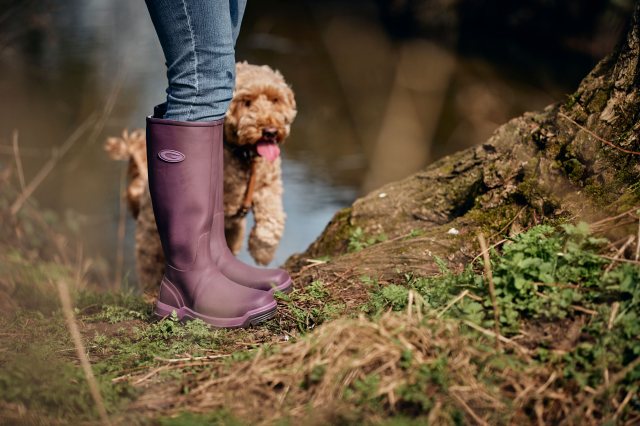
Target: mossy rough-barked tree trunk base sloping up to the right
[573,160]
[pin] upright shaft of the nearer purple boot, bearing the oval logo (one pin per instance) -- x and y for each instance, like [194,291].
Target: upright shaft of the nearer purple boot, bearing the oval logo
[183,165]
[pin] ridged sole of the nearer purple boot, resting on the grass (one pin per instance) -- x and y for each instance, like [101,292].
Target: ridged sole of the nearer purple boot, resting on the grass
[249,319]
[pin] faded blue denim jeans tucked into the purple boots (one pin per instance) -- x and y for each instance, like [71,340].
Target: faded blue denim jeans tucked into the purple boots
[198,39]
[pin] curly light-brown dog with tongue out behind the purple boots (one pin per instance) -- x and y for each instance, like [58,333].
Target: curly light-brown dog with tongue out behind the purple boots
[257,123]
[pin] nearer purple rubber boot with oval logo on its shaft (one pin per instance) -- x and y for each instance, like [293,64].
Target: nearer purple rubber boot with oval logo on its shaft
[182,178]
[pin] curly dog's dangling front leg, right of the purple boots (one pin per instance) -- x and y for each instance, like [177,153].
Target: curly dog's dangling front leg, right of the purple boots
[269,217]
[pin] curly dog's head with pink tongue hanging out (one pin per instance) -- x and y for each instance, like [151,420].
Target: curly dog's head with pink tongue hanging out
[262,110]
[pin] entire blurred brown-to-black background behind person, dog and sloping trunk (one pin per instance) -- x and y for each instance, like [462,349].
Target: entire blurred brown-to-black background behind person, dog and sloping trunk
[384,87]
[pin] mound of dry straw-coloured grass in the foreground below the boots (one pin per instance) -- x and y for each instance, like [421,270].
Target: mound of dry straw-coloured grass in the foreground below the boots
[401,363]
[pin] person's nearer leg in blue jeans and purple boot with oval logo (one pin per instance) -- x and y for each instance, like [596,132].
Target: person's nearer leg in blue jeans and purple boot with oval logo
[184,159]
